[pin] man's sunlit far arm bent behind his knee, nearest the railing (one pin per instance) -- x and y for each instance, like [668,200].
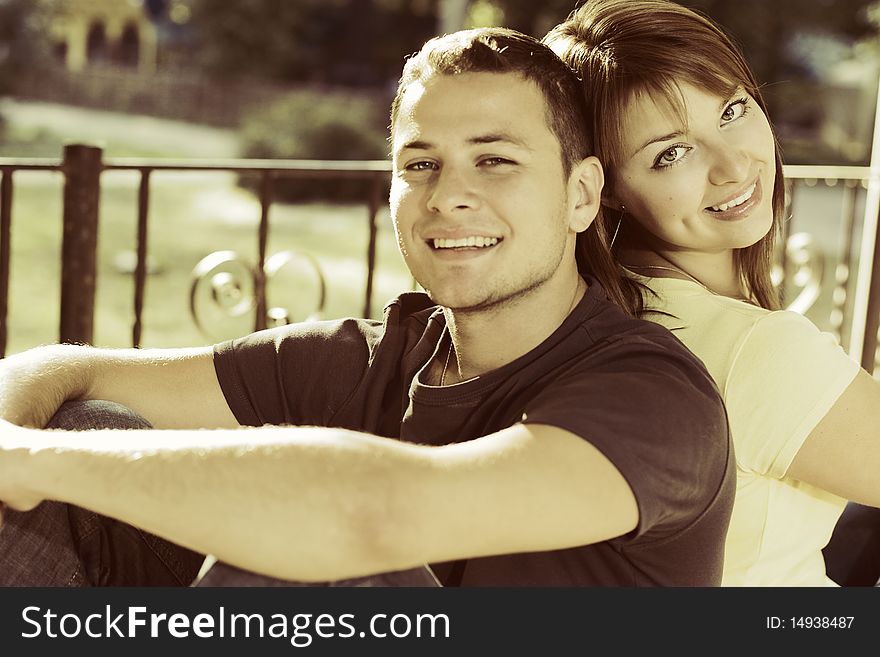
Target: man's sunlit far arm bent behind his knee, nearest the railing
[171,388]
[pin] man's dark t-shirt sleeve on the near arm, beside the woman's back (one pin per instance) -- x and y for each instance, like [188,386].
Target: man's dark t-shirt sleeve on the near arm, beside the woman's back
[655,413]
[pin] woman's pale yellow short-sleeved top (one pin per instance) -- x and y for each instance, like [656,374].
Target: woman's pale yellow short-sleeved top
[778,375]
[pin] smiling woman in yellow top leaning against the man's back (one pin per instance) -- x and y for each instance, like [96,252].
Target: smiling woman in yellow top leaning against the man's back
[694,197]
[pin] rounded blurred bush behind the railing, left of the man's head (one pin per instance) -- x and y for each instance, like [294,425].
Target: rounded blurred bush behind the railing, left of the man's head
[321,126]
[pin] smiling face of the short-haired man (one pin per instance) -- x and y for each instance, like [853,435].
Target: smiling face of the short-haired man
[479,199]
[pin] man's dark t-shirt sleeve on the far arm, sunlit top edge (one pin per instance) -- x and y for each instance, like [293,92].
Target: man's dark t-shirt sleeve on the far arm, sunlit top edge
[294,374]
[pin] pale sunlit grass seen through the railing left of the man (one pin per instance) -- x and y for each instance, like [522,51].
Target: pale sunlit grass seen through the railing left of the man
[191,215]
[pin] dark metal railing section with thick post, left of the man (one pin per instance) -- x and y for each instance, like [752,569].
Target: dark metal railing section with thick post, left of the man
[82,166]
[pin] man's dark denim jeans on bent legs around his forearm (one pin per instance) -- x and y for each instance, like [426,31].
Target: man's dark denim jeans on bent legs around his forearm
[58,544]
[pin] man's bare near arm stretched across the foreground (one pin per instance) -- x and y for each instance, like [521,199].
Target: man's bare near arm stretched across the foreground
[317,504]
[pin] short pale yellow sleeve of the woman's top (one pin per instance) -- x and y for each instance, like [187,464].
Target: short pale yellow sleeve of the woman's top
[785,377]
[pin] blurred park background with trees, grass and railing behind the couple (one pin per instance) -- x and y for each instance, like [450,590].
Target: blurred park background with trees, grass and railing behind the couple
[206,82]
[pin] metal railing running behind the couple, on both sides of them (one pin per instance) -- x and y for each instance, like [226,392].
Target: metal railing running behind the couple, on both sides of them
[801,269]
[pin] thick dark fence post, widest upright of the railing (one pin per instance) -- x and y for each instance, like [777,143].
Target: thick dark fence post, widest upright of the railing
[82,172]
